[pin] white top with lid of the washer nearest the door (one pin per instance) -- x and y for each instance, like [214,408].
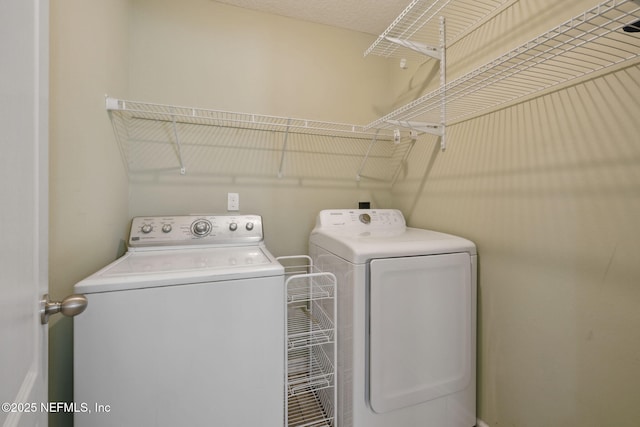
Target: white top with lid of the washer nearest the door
[137,270]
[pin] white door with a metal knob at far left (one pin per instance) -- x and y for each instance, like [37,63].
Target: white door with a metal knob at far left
[24,102]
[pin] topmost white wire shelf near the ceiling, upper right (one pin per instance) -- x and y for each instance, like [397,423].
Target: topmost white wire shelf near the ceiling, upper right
[416,28]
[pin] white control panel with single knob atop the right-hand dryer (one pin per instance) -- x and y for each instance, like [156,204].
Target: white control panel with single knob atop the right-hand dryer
[361,220]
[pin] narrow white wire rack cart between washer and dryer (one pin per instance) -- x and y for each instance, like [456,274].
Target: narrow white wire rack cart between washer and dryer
[311,348]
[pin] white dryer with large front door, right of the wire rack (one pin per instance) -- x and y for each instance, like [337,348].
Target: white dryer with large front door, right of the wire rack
[406,320]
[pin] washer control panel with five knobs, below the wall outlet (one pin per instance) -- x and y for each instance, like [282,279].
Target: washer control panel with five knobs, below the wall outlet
[195,230]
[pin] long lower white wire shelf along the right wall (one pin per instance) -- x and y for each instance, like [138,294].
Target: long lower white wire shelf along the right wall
[582,46]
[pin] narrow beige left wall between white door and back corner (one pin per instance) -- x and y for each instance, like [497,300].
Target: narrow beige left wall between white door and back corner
[88,186]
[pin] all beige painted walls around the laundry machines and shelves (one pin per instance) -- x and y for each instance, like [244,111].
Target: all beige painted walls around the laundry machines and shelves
[548,189]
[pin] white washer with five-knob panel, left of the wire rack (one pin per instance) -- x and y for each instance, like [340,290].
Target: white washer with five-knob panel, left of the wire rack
[185,329]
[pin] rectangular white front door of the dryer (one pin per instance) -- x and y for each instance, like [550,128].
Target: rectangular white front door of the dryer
[420,329]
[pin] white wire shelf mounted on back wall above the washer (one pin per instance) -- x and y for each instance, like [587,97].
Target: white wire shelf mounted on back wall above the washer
[138,123]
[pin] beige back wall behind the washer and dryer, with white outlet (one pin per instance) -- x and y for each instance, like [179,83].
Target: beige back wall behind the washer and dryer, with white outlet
[204,54]
